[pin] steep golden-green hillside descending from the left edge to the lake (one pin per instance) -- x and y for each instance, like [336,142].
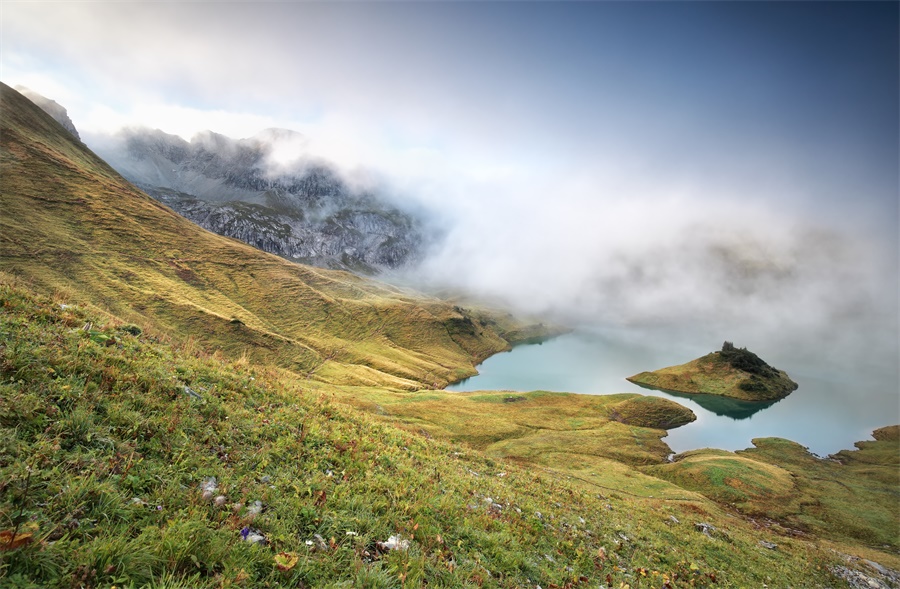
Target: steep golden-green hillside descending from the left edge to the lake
[70,223]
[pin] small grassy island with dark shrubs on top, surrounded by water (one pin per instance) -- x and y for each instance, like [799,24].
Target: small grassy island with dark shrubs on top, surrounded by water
[731,372]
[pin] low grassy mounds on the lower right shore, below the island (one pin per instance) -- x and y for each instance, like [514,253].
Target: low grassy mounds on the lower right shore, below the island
[851,497]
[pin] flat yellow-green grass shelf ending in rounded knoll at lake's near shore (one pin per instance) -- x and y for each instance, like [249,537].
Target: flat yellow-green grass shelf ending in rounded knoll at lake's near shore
[626,427]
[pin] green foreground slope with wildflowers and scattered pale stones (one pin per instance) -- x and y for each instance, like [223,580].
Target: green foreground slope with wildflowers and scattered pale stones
[104,453]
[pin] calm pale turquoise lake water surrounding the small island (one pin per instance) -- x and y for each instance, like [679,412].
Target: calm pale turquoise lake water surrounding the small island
[832,408]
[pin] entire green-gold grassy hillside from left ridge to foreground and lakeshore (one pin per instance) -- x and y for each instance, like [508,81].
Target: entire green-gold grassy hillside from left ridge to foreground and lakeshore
[180,410]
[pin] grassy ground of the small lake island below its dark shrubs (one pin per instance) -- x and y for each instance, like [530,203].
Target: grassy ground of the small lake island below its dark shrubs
[711,375]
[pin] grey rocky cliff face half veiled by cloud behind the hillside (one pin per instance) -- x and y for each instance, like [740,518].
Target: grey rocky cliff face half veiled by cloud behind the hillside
[302,210]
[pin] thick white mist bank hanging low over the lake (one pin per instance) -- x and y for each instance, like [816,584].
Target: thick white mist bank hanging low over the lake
[694,268]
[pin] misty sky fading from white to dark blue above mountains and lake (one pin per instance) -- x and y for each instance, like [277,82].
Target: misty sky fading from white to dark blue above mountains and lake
[728,166]
